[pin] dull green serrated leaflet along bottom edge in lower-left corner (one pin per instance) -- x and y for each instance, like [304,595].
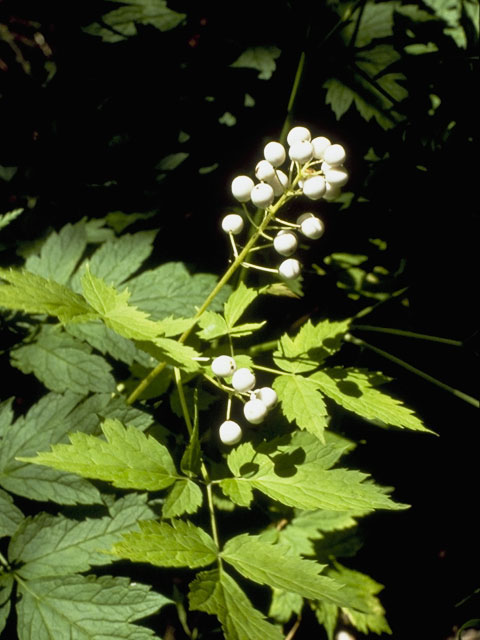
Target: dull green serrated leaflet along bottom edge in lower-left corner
[86,607]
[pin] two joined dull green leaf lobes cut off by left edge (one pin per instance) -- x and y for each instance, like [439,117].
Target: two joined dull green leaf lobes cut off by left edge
[46,422]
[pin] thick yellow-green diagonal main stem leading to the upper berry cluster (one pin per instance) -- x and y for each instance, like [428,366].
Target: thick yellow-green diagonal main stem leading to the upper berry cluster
[215,291]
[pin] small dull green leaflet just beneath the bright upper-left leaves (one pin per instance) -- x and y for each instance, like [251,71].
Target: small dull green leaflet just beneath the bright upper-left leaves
[104,339]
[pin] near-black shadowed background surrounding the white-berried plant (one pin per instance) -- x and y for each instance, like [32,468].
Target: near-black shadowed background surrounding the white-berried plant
[84,125]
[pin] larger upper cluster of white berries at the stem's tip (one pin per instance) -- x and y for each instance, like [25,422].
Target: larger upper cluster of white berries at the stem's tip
[316,171]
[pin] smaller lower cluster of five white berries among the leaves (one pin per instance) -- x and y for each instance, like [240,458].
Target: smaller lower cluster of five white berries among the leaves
[243,381]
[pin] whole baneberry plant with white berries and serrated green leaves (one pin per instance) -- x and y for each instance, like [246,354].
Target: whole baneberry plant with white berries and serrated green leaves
[111,345]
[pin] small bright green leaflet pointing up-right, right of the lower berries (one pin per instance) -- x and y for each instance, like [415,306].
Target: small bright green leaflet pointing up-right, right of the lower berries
[311,345]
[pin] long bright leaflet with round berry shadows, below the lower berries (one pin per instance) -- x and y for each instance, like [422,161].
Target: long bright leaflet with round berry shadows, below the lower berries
[292,478]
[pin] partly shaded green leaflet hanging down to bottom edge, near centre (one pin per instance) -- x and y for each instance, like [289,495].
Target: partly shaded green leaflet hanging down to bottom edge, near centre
[217,593]
